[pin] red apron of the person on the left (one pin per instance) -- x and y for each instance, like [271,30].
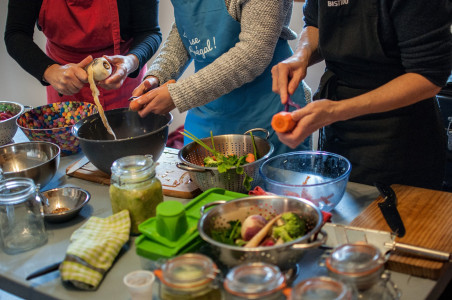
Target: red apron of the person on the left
[77,28]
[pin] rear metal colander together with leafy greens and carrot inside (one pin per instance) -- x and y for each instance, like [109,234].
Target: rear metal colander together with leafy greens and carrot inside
[223,161]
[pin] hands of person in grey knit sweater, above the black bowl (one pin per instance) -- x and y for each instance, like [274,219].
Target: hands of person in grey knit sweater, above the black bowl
[153,99]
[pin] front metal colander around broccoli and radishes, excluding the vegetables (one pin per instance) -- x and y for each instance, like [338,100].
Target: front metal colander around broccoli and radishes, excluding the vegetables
[286,255]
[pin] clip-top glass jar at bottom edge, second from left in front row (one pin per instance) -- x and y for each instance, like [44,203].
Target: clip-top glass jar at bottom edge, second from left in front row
[255,281]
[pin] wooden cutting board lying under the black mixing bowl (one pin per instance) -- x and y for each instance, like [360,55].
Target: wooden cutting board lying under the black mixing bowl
[175,182]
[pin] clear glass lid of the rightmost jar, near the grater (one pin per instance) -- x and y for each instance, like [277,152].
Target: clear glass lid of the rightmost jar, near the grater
[355,259]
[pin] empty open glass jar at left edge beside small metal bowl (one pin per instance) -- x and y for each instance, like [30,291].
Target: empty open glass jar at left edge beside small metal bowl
[21,215]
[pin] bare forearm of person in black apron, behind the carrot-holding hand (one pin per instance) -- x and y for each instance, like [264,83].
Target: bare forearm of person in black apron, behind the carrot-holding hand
[402,91]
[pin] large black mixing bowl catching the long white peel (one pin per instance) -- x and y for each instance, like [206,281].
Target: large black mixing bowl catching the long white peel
[135,136]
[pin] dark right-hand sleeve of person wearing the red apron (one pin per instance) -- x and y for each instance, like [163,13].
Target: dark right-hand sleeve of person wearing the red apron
[139,21]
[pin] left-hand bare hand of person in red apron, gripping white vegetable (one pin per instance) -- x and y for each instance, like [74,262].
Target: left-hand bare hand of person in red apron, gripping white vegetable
[68,79]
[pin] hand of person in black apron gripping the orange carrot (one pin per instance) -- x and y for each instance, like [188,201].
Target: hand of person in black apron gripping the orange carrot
[313,116]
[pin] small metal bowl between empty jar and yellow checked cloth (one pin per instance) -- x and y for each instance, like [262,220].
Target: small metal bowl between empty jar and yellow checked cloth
[63,204]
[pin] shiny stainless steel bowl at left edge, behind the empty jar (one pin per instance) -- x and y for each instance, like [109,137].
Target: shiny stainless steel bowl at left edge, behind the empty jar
[36,160]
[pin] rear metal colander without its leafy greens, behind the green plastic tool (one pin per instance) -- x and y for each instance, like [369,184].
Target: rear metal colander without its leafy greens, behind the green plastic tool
[192,157]
